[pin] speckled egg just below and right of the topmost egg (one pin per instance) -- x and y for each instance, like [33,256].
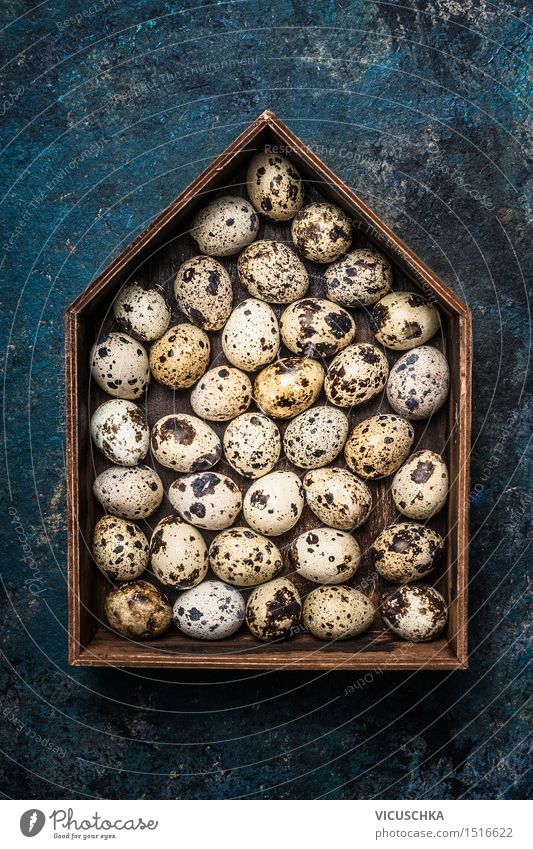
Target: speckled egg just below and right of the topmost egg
[322,232]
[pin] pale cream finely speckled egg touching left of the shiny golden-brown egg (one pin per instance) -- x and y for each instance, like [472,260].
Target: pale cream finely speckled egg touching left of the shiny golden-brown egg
[221,394]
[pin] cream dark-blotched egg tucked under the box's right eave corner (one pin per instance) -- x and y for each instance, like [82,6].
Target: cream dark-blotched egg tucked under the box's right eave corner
[402,320]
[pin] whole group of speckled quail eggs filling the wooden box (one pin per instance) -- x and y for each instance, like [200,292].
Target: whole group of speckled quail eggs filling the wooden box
[283,408]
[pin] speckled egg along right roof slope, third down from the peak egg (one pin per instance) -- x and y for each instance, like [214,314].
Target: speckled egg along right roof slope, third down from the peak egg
[360,278]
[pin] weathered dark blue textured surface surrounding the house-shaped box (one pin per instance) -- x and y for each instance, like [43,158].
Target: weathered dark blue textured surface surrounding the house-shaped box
[109,109]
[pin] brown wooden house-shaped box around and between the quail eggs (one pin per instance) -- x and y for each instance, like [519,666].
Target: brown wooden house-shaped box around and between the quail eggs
[155,256]
